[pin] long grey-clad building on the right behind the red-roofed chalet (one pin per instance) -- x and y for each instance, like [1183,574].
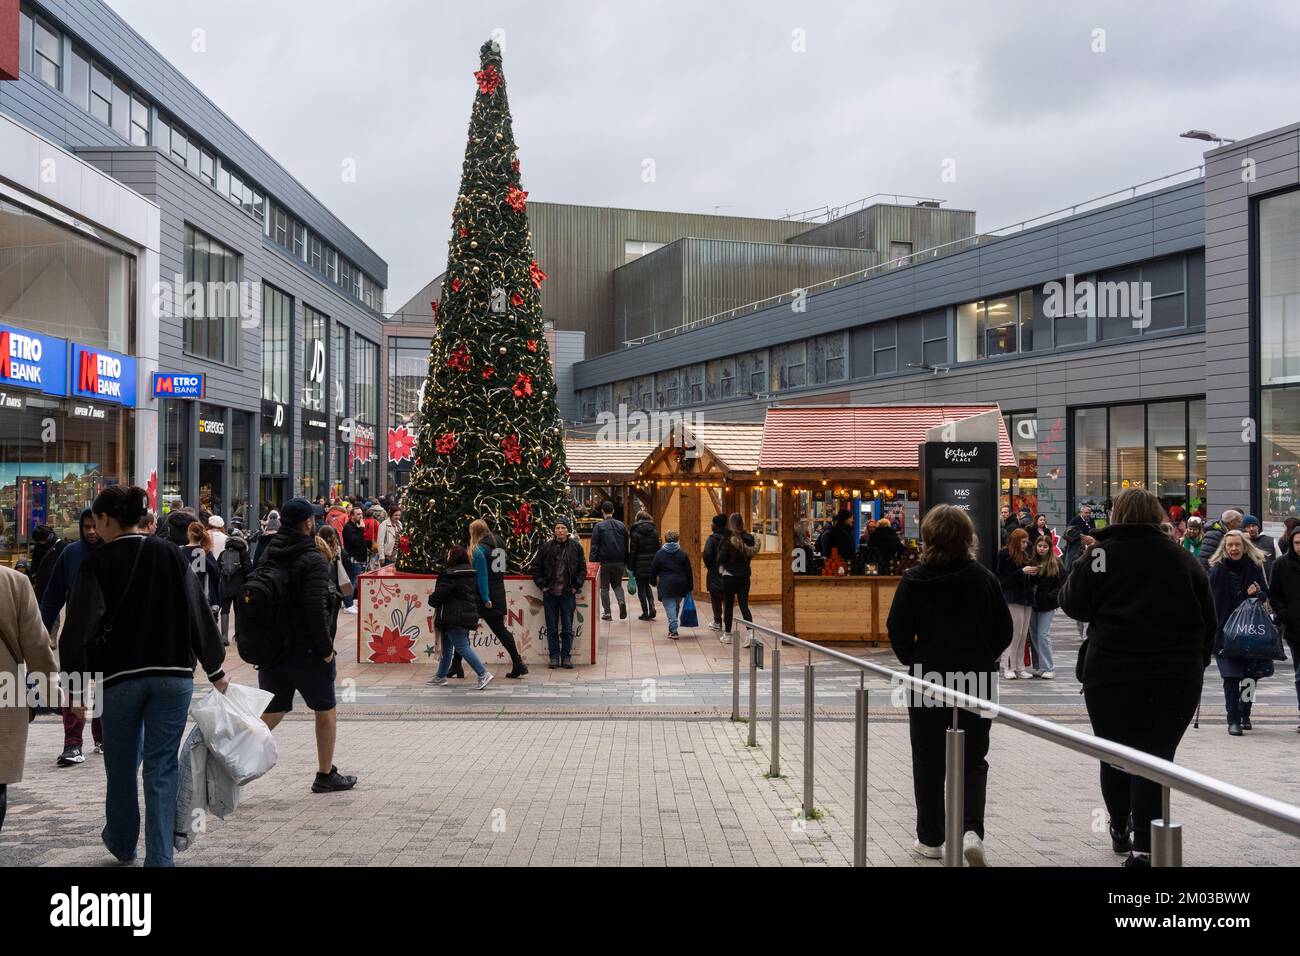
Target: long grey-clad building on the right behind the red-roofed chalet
[1124,345]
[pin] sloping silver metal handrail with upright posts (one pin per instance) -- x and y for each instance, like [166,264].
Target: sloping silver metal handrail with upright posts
[1167,836]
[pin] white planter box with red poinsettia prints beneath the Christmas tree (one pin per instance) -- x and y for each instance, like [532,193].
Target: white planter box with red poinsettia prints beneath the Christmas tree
[396,622]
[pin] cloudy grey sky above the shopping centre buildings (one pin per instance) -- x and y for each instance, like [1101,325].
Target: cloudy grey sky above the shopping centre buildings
[1020,96]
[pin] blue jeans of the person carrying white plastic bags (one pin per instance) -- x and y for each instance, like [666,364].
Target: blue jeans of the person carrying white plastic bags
[144,723]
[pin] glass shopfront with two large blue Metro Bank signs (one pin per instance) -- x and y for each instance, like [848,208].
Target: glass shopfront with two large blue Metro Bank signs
[67,378]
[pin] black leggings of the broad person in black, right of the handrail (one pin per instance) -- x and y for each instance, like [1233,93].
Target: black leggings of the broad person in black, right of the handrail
[1149,716]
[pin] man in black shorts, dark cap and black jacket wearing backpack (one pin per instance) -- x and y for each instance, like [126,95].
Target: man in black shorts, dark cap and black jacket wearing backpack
[310,665]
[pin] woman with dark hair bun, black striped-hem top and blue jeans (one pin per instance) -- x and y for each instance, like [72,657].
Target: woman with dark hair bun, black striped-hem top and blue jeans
[137,618]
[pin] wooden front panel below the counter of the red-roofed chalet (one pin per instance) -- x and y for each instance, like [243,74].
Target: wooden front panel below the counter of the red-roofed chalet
[844,608]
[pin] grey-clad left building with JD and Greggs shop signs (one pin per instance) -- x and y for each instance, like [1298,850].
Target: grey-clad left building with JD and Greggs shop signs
[268,309]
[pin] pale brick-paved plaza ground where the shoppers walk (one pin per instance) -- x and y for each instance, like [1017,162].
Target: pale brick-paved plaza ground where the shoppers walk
[634,763]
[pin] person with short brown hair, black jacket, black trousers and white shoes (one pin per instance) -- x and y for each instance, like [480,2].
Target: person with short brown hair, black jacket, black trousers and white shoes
[950,618]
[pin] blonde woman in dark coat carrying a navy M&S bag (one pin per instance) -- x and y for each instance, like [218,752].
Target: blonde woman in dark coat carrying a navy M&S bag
[1237,574]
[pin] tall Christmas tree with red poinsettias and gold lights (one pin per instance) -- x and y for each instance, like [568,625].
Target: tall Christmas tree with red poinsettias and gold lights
[491,443]
